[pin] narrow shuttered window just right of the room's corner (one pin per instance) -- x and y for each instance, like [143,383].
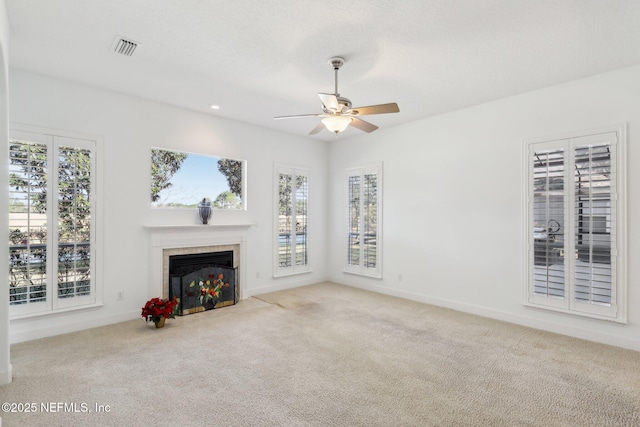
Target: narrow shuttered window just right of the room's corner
[364,221]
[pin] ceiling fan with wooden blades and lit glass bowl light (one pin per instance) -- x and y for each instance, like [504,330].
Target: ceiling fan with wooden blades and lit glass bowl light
[337,111]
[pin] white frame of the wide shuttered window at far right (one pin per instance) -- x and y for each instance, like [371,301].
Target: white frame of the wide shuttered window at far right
[617,310]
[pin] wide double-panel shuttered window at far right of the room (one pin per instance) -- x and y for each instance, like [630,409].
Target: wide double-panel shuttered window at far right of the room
[575,224]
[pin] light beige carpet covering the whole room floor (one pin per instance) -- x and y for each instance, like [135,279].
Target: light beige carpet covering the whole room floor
[323,355]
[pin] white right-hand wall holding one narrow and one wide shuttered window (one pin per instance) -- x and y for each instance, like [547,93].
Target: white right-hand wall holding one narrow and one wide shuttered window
[453,220]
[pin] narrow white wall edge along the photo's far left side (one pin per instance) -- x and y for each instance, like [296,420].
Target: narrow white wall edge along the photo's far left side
[5,363]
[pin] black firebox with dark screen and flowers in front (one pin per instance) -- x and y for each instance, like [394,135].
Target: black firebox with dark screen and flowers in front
[202,281]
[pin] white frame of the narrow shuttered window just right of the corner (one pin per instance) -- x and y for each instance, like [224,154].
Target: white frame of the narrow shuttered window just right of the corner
[361,268]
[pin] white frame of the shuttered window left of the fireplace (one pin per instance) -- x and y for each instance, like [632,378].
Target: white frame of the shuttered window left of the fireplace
[54,139]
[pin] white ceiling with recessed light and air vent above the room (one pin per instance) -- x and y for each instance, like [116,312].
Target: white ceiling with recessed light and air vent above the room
[258,59]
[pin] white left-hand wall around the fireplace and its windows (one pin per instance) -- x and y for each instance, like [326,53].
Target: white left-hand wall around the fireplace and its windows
[129,128]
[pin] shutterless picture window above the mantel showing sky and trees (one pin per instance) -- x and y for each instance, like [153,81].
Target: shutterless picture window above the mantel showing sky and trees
[182,180]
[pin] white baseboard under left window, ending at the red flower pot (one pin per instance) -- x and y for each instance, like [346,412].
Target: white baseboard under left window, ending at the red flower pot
[71,326]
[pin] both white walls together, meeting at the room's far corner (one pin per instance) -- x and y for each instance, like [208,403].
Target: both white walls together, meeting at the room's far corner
[452,195]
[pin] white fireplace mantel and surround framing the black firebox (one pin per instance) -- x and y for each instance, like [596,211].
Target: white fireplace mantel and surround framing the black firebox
[167,240]
